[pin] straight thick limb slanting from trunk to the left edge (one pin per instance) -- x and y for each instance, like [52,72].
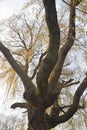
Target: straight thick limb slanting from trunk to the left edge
[29,86]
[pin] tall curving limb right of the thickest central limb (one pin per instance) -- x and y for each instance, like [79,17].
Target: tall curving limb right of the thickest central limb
[64,50]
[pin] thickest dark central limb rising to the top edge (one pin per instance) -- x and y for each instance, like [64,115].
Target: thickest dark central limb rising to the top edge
[54,42]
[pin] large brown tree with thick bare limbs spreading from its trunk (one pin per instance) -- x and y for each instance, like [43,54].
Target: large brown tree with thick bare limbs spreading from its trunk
[47,90]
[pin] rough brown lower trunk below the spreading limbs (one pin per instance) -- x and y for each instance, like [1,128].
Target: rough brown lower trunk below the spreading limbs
[37,119]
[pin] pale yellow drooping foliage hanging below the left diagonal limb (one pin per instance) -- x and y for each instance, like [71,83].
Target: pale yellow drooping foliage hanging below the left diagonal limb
[10,76]
